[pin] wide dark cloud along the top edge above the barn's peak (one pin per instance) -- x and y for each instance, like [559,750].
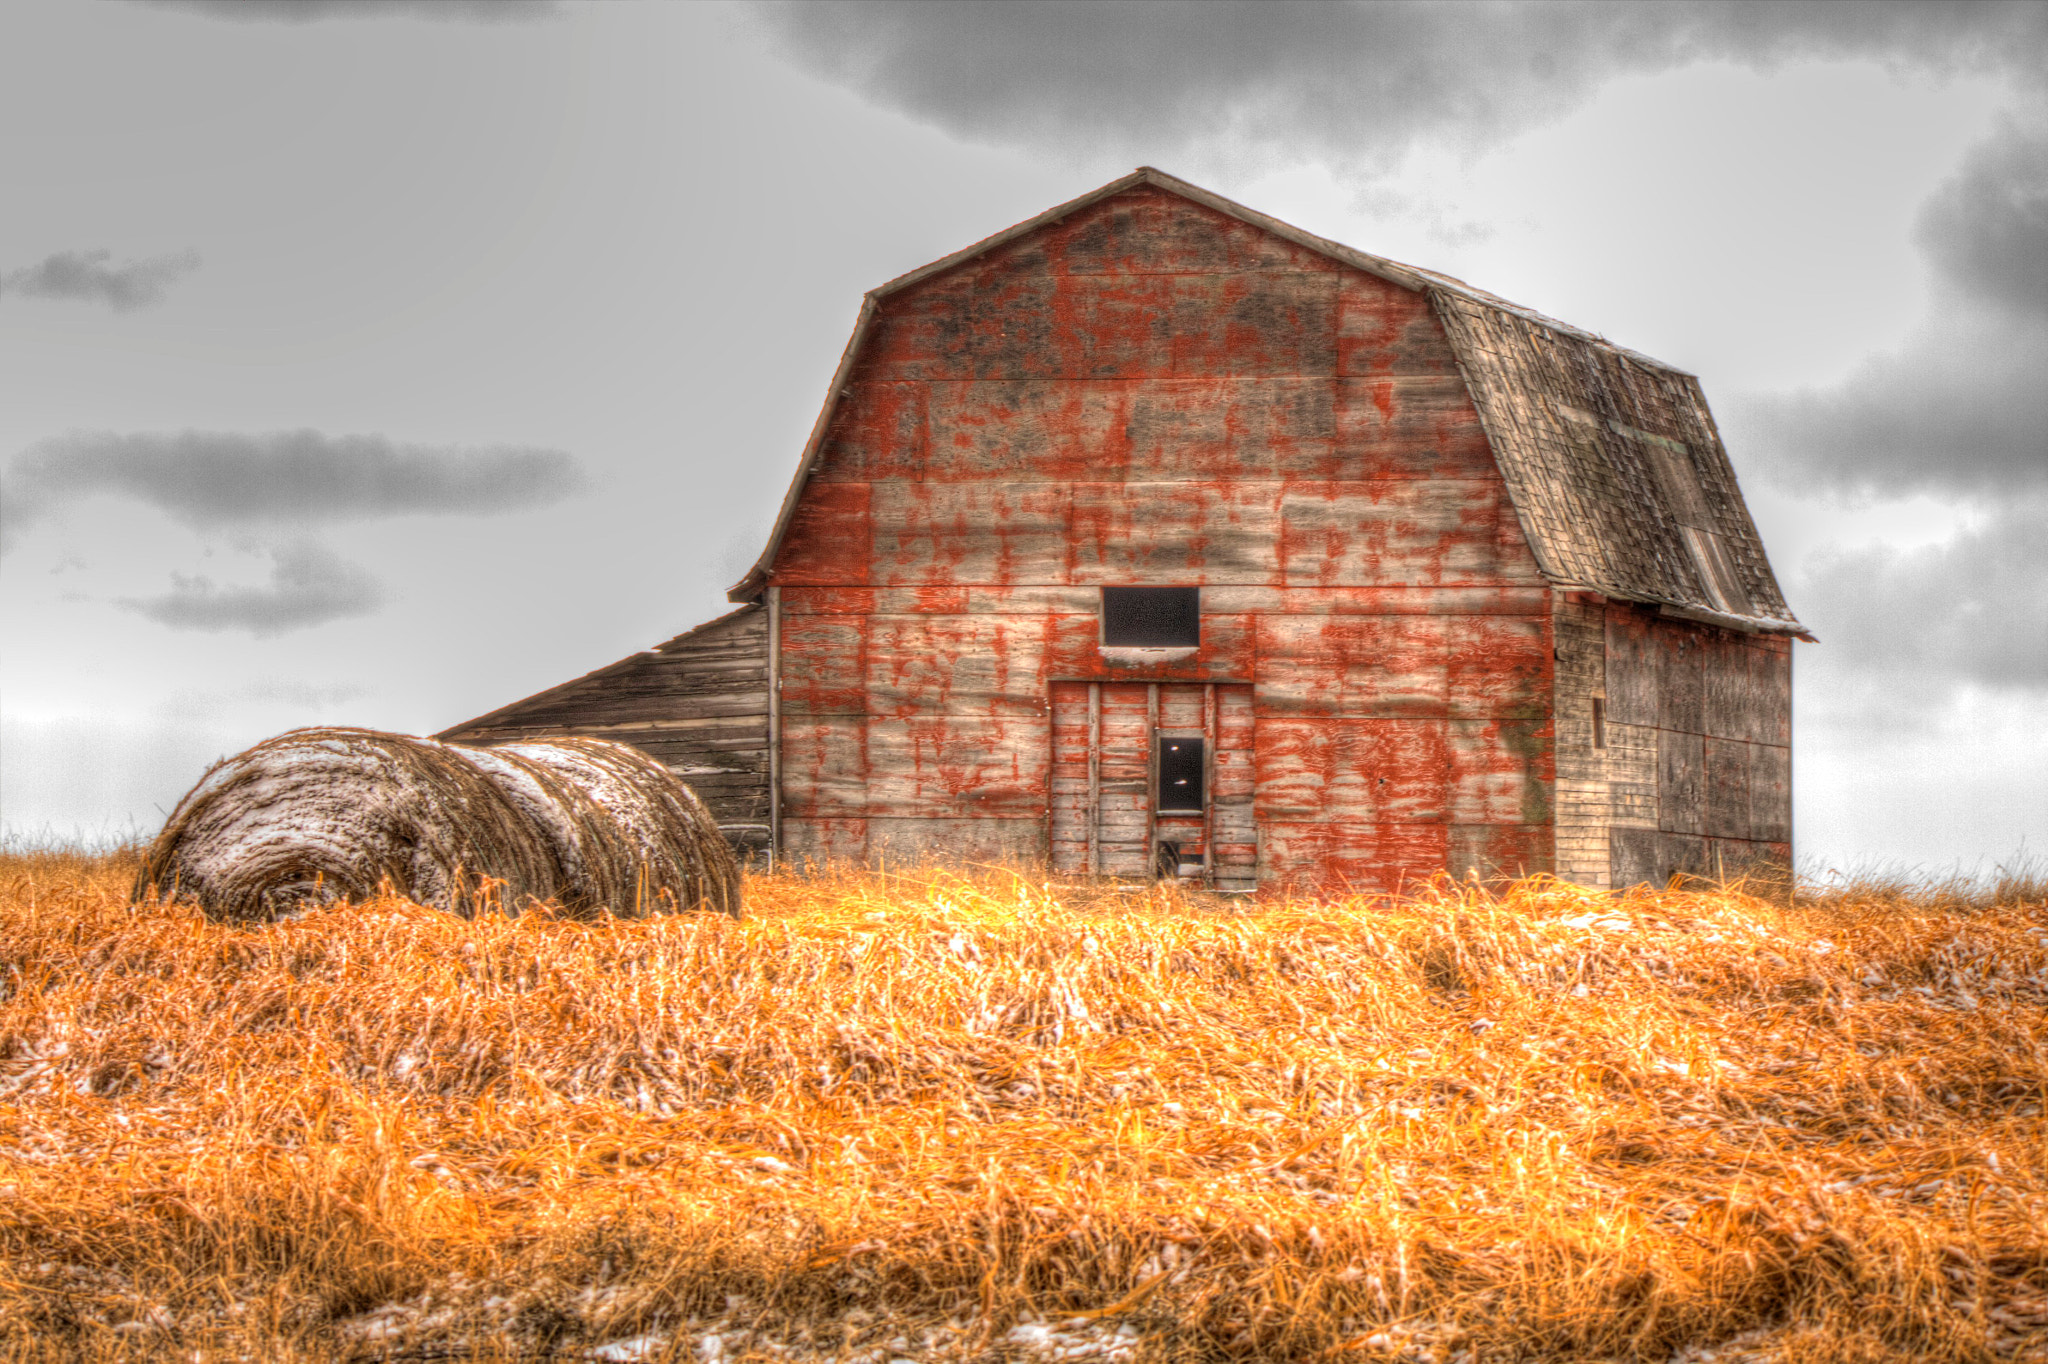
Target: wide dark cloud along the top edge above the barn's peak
[1349,83]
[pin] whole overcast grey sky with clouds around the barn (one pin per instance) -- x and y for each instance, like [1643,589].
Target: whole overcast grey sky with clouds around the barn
[384,361]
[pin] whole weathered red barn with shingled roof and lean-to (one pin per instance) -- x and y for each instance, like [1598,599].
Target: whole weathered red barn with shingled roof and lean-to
[1160,538]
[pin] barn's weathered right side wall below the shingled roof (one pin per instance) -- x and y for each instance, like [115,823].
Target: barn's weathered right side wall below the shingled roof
[1697,769]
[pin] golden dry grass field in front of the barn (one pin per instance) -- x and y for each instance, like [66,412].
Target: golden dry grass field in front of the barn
[976,1115]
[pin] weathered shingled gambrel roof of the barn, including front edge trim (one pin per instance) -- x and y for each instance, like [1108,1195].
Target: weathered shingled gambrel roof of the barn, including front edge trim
[1611,458]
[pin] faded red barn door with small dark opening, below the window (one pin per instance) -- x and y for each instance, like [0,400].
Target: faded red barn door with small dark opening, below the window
[1154,779]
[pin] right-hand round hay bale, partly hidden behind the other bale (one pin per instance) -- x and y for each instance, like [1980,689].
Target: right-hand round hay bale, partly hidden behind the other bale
[628,837]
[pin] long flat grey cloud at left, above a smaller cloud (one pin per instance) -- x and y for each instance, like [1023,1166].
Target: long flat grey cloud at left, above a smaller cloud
[212,480]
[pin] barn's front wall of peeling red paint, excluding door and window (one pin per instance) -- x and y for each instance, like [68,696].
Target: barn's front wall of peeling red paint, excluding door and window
[1158,394]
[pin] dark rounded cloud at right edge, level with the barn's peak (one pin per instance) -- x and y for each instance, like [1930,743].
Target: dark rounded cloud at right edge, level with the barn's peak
[1988,230]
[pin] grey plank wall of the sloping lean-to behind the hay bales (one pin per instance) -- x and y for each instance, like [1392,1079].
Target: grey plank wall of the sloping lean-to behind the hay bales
[697,704]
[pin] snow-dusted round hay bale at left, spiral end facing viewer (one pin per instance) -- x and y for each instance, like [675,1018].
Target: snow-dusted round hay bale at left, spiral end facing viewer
[337,814]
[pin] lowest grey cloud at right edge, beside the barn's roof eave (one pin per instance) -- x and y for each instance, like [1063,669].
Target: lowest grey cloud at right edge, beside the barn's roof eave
[1922,620]
